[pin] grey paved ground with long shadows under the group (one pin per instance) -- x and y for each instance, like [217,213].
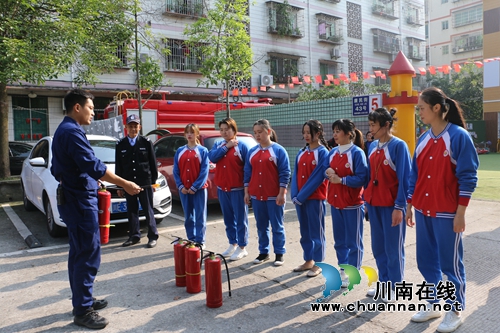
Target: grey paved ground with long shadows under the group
[140,286]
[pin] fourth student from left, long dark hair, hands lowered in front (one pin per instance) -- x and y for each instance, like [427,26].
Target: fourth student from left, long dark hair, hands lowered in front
[309,188]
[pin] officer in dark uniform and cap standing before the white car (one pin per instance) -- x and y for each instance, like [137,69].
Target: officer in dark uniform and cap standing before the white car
[135,160]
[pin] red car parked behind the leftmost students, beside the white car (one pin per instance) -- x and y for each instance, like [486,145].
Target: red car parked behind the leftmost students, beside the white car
[166,147]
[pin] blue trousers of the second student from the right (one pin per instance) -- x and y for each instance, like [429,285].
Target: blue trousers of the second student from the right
[387,244]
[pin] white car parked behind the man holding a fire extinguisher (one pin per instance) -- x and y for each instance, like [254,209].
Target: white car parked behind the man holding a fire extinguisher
[39,186]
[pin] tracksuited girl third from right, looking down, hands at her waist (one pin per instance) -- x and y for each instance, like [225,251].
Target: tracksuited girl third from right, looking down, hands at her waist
[347,172]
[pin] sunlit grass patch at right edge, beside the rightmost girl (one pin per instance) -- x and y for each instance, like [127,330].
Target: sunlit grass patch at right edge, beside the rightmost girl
[488,186]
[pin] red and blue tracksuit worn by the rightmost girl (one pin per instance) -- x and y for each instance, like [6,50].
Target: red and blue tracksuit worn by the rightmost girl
[443,176]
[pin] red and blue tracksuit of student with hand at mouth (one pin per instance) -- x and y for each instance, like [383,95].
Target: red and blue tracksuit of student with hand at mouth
[229,180]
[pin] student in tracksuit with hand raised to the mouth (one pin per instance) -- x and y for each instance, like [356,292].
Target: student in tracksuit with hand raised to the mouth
[229,155]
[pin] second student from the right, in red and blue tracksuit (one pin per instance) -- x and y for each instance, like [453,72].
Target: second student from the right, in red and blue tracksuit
[385,196]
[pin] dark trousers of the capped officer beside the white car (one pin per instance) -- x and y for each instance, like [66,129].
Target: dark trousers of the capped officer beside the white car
[145,197]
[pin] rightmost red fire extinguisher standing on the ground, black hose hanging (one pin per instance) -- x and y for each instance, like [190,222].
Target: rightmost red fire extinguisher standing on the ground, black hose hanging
[213,279]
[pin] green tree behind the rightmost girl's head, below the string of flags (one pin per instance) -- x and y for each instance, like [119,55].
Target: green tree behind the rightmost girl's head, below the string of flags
[466,87]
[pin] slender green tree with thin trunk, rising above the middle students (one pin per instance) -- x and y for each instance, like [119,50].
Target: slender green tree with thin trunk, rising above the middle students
[224,42]
